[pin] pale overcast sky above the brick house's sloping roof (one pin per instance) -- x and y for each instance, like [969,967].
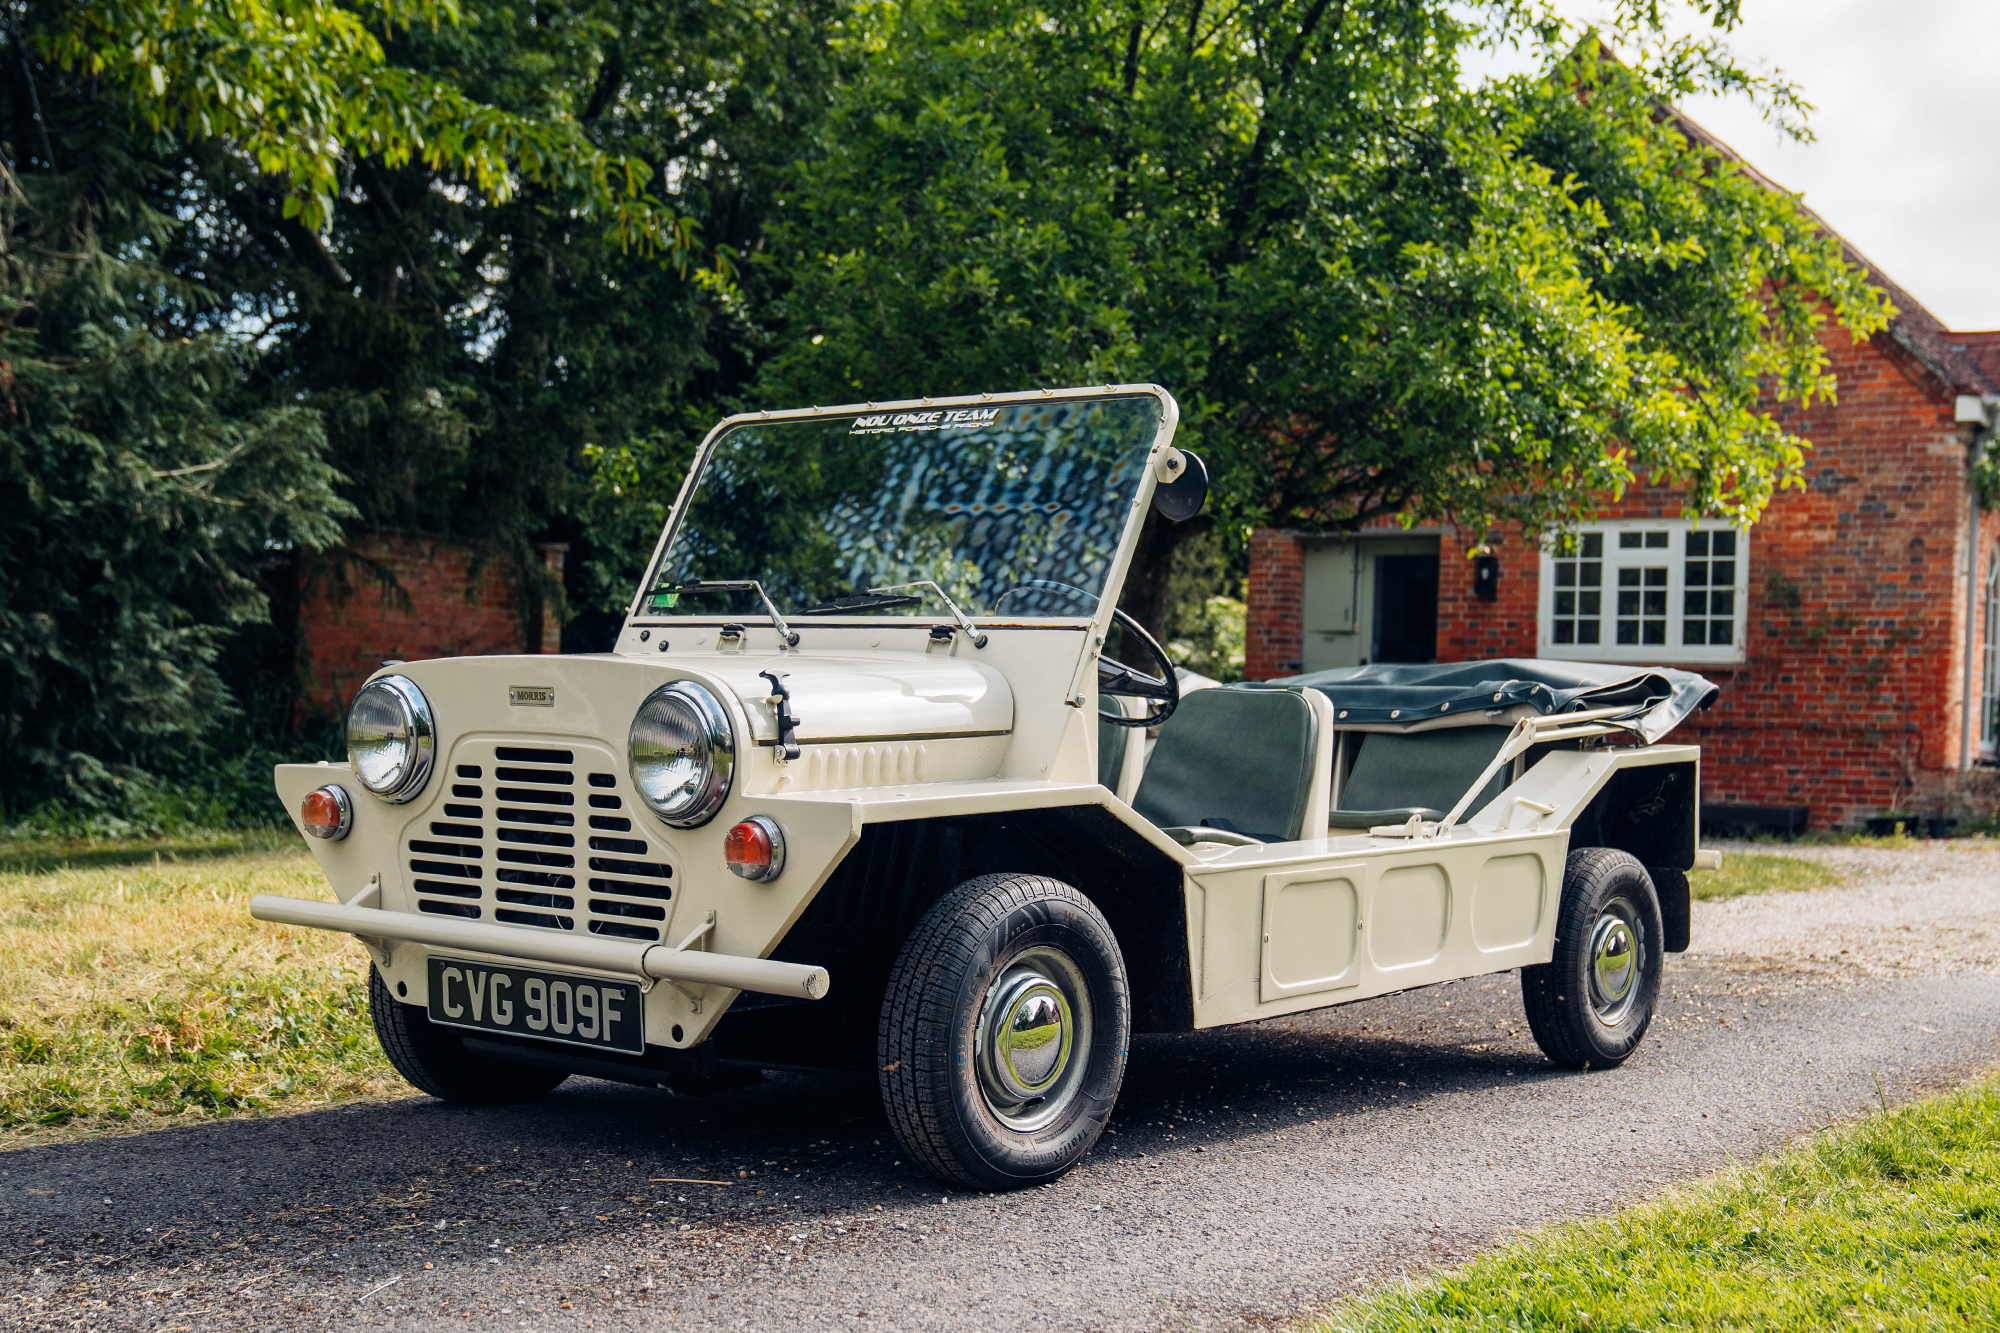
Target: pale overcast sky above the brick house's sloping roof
[1903,159]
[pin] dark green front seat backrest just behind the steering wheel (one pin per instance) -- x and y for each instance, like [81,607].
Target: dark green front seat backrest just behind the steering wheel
[1237,760]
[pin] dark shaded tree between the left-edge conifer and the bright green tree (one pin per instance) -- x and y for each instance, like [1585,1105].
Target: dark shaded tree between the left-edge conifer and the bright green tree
[479,357]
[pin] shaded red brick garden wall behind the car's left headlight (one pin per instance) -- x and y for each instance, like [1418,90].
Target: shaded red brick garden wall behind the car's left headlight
[403,597]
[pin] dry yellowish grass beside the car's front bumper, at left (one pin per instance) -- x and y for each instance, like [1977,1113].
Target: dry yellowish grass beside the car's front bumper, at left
[139,990]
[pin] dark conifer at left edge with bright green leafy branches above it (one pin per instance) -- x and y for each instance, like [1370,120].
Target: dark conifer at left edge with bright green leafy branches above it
[145,465]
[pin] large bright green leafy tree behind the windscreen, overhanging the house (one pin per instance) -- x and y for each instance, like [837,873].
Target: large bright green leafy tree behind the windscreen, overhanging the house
[1375,291]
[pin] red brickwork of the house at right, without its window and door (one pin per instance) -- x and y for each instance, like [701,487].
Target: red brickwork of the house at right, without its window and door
[1851,698]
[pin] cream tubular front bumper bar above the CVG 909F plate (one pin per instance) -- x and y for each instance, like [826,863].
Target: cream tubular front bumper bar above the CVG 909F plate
[563,950]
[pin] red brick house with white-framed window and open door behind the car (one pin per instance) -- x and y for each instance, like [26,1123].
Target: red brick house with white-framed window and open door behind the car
[1855,629]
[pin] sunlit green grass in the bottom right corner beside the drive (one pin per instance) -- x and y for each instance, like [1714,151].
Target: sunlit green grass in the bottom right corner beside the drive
[1889,1224]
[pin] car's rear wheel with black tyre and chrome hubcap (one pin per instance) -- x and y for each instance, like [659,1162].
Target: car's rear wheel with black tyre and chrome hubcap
[1591,1006]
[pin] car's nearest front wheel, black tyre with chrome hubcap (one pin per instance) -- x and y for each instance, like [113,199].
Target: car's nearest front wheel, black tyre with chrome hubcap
[1005,1034]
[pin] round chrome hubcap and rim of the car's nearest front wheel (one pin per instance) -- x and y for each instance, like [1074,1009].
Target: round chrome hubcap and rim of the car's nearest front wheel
[1033,1032]
